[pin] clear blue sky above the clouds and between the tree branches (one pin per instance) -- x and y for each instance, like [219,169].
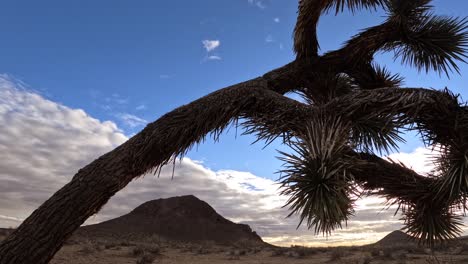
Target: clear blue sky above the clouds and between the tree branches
[132,61]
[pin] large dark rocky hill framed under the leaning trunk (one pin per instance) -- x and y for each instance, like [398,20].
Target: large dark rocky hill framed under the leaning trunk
[184,218]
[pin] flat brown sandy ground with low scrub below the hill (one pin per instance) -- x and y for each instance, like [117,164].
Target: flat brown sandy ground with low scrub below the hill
[195,254]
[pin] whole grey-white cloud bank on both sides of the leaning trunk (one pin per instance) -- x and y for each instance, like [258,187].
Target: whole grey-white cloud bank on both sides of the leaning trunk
[43,144]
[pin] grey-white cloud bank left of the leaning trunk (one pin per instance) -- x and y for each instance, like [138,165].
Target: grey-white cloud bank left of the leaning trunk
[42,144]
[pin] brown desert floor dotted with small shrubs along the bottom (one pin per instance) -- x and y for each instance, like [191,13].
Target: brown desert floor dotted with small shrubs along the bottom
[84,251]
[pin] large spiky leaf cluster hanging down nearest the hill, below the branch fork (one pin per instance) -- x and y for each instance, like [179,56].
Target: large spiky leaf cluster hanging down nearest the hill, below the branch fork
[317,176]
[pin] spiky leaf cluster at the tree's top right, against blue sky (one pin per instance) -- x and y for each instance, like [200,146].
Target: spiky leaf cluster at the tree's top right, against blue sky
[428,41]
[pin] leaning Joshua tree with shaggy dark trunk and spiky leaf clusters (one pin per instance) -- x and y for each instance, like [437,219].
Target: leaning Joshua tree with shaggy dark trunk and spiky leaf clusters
[353,109]
